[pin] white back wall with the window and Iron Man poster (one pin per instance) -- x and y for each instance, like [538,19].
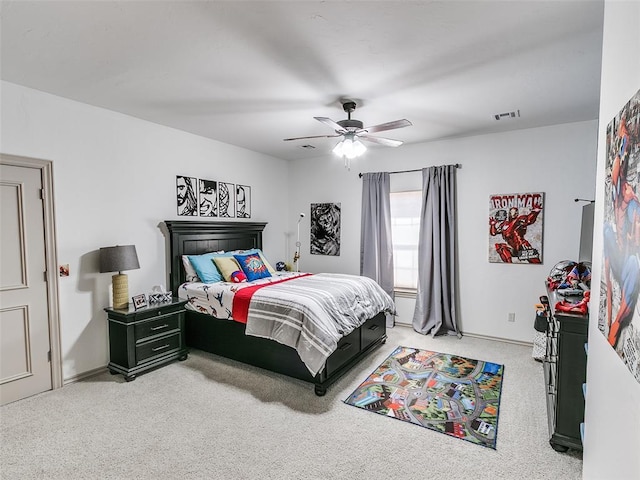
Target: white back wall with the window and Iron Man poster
[559,160]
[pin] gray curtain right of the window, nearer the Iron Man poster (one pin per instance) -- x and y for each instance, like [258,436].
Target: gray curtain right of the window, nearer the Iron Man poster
[435,311]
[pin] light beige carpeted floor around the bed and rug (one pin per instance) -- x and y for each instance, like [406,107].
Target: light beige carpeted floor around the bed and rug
[210,418]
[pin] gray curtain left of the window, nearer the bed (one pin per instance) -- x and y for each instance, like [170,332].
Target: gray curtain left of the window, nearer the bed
[376,252]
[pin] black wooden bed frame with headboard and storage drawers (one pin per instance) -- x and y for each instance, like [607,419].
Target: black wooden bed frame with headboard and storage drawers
[227,338]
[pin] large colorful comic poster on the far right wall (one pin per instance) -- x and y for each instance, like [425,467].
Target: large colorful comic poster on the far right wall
[618,318]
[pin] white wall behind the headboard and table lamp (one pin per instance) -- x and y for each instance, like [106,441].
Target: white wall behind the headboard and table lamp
[114,182]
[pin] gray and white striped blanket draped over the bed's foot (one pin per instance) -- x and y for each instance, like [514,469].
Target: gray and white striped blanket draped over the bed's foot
[311,314]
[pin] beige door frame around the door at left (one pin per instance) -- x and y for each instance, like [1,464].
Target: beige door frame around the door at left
[51,258]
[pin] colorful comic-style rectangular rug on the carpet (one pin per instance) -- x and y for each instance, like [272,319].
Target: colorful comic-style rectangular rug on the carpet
[453,395]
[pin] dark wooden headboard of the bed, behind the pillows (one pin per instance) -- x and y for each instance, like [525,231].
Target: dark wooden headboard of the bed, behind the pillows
[188,237]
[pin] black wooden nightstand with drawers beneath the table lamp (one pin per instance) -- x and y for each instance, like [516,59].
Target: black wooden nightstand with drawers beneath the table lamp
[149,337]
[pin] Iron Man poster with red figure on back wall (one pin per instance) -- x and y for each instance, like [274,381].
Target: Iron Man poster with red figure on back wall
[515,227]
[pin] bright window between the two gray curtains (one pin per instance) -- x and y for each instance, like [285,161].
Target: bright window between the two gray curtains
[405,230]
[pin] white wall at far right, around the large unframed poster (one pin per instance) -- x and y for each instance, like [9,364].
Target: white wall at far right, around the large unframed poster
[612,417]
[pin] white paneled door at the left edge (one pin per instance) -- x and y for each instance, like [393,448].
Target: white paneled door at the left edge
[25,367]
